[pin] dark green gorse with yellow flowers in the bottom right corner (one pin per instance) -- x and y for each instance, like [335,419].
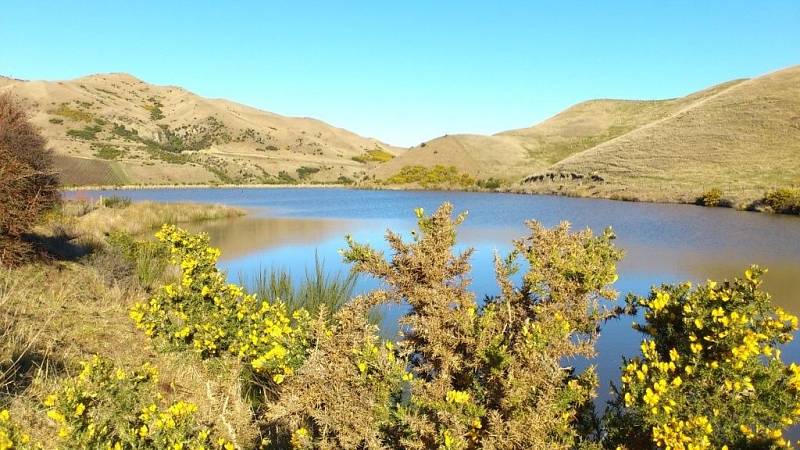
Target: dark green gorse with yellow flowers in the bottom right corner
[710,374]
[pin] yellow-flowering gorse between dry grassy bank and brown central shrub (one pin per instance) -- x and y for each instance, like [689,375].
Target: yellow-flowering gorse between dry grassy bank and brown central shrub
[205,313]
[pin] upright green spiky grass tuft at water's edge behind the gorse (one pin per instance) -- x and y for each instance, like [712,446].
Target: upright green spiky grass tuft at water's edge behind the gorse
[319,288]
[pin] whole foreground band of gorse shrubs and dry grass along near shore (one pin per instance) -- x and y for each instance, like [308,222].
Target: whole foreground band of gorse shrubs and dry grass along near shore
[219,366]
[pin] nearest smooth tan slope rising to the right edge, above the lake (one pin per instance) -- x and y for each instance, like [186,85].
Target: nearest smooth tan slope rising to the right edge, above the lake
[743,140]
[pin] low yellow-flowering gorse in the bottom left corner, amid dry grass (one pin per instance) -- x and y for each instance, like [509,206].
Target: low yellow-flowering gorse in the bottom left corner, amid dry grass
[108,407]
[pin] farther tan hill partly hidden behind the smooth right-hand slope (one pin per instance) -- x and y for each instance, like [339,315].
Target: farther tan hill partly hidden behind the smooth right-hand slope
[511,155]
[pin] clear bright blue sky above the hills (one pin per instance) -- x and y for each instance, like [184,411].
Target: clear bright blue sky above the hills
[406,71]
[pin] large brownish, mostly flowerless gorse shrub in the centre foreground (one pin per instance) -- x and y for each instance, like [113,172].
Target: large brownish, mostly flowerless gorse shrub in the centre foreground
[463,375]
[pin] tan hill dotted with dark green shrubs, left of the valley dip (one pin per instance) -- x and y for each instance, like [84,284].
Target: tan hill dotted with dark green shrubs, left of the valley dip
[116,129]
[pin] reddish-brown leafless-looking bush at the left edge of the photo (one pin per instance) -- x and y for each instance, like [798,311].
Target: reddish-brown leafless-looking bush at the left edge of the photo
[28,183]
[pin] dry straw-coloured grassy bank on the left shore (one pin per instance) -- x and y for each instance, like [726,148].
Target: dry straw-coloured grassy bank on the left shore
[59,312]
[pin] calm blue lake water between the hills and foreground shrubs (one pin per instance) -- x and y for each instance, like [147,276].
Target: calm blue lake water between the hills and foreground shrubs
[662,243]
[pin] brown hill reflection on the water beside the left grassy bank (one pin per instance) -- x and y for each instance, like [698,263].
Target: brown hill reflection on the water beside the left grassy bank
[242,236]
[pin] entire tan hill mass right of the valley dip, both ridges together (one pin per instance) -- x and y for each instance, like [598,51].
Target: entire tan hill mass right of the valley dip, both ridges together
[742,137]
